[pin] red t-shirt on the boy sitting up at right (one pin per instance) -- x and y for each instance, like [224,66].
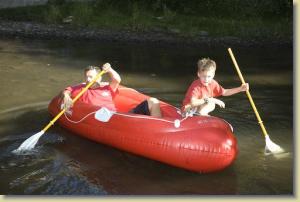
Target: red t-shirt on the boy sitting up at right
[199,91]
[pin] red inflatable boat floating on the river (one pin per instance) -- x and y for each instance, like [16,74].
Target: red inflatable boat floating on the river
[201,144]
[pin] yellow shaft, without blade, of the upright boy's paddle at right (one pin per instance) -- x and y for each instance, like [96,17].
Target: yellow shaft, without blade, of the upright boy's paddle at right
[248,93]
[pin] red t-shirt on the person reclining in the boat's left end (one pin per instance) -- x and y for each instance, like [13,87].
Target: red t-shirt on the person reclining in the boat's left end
[100,96]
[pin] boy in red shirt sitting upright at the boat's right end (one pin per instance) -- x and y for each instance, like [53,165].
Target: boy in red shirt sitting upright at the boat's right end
[200,96]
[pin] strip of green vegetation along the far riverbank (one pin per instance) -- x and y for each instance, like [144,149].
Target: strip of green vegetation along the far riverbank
[246,19]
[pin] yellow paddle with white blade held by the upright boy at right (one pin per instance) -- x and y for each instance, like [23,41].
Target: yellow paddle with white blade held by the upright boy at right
[270,146]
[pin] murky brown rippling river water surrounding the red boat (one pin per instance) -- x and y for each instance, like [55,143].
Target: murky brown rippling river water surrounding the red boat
[33,72]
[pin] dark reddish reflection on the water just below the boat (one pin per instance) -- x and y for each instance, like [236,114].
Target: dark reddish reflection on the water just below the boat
[121,172]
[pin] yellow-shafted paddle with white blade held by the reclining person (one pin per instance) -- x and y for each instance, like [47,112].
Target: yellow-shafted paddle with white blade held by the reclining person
[29,143]
